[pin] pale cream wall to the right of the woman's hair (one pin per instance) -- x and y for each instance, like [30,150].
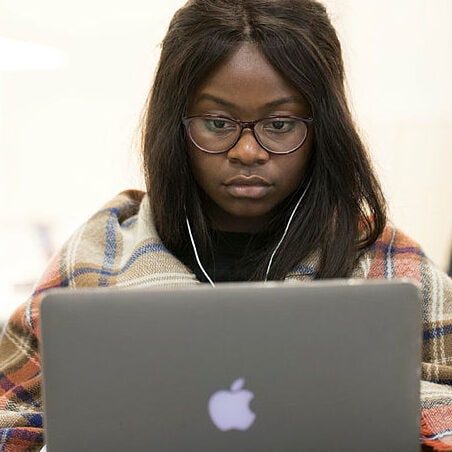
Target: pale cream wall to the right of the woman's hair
[398,55]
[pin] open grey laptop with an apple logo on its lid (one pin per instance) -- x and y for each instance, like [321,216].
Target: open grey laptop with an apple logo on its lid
[323,366]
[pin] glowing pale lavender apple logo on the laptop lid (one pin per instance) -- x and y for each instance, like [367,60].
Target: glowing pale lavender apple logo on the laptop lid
[230,409]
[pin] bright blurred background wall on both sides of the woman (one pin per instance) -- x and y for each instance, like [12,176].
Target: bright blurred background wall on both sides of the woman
[74,76]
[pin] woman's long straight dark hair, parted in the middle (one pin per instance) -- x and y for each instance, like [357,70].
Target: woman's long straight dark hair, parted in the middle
[343,211]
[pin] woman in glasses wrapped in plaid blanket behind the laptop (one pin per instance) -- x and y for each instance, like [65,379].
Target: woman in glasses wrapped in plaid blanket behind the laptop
[254,171]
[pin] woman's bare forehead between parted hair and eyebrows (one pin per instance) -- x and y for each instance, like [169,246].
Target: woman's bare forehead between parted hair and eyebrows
[247,80]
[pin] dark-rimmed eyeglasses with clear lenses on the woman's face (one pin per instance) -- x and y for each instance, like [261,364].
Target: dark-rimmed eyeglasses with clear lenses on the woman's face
[276,134]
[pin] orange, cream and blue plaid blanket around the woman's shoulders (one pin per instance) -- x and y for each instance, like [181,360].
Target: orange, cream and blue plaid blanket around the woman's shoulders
[119,247]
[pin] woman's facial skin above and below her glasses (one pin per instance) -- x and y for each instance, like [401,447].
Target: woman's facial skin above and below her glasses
[244,184]
